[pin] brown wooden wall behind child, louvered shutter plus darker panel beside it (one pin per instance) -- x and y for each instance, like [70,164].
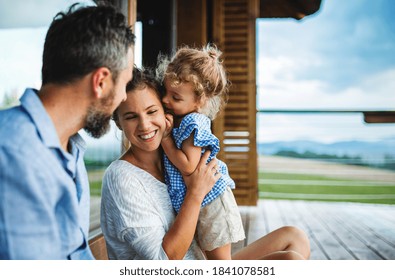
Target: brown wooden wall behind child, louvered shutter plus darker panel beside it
[230,24]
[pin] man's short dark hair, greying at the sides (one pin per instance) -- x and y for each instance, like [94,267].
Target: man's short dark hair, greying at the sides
[84,39]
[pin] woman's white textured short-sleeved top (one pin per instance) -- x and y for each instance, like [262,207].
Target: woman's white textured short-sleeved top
[136,213]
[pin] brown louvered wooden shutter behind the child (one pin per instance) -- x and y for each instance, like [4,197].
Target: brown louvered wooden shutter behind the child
[234,30]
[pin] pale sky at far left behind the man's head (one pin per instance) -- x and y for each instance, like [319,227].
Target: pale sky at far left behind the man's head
[23,26]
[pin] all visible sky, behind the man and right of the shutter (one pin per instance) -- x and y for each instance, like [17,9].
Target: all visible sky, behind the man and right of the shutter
[342,57]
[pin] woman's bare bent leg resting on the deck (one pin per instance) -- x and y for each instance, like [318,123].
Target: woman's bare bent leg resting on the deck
[283,243]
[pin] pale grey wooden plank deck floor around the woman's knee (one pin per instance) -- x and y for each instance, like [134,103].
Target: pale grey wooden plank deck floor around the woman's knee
[337,231]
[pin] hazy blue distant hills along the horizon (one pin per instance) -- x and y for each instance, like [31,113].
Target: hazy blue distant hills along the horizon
[368,151]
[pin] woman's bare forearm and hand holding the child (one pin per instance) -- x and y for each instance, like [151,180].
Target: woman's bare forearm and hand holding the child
[179,238]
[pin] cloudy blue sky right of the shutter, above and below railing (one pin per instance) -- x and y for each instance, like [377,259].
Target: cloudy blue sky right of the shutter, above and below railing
[342,57]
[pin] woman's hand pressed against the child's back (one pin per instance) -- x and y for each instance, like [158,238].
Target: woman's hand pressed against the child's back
[202,180]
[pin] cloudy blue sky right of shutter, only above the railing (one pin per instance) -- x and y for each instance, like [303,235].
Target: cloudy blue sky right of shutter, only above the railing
[339,58]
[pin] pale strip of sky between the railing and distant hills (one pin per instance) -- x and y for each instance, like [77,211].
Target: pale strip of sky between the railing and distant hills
[325,128]
